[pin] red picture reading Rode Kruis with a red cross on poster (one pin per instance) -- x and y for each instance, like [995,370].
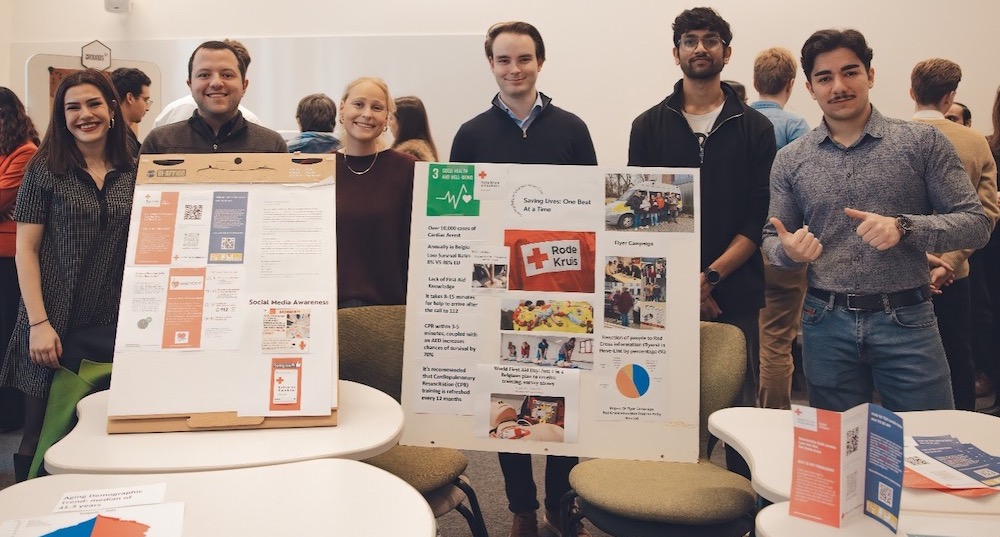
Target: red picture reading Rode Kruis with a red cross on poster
[543,260]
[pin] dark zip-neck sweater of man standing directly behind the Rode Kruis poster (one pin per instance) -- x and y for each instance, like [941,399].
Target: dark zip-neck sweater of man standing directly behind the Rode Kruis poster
[554,137]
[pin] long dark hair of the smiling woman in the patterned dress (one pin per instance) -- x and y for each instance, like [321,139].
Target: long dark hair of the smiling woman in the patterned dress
[59,146]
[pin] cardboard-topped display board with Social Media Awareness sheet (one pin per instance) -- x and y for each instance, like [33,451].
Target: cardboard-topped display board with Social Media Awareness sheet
[228,309]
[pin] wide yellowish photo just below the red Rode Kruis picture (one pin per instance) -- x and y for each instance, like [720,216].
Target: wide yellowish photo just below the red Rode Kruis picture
[574,316]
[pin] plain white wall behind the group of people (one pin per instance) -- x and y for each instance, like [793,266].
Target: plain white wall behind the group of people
[607,62]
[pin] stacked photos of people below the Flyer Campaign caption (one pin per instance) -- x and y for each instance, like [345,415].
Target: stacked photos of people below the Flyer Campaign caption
[635,292]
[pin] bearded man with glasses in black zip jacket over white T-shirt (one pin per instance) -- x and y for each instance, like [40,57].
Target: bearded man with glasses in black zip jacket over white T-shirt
[704,124]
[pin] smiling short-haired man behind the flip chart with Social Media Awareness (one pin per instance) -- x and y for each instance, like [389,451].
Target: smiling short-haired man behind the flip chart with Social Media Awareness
[217,78]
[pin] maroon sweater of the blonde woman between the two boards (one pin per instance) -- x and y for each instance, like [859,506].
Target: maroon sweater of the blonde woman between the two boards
[373,228]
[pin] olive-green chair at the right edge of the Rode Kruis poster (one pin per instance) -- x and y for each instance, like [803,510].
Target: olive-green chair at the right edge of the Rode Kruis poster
[648,498]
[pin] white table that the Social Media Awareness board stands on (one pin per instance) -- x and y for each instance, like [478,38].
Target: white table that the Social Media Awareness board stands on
[369,422]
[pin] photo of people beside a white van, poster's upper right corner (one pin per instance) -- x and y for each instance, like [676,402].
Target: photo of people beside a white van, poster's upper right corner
[649,202]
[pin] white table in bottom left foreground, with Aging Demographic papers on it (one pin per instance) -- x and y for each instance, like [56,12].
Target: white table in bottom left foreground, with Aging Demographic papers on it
[317,497]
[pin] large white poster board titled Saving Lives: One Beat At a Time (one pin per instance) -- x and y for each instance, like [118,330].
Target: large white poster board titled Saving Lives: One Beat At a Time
[515,335]
